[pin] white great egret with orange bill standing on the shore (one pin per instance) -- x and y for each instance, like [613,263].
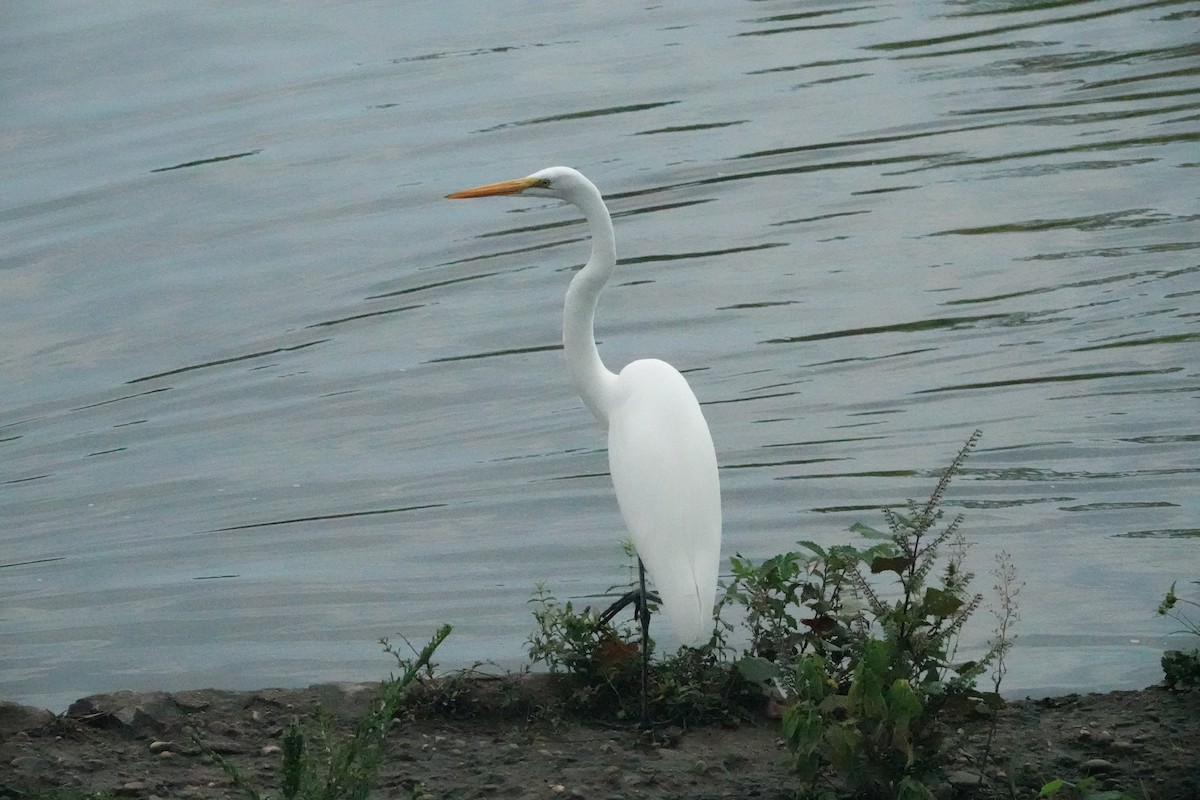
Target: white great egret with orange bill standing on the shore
[661,453]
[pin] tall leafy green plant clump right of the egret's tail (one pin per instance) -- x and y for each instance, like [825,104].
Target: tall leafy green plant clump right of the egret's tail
[871,676]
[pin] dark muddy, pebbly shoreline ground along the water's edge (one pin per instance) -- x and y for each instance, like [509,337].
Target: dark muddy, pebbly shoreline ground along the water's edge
[139,745]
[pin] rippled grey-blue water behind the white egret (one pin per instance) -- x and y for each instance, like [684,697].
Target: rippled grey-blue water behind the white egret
[268,398]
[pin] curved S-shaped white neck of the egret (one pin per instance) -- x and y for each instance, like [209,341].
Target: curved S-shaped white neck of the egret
[590,377]
